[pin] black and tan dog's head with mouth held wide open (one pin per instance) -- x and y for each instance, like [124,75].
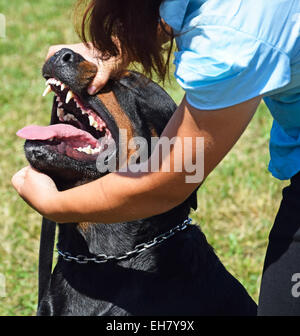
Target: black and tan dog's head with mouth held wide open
[83,126]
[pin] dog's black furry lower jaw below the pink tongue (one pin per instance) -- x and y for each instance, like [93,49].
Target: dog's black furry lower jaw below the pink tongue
[66,171]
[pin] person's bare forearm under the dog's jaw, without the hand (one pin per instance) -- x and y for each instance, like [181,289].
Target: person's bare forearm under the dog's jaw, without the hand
[115,198]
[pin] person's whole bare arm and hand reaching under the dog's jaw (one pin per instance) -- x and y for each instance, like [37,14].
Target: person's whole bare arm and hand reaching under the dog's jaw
[123,197]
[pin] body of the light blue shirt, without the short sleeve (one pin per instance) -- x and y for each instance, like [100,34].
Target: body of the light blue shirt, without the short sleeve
[277,24]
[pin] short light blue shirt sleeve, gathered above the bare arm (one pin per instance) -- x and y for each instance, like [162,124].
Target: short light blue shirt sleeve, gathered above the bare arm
[220,66]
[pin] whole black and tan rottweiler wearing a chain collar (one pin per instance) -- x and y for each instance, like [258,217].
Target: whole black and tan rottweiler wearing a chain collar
[112,269]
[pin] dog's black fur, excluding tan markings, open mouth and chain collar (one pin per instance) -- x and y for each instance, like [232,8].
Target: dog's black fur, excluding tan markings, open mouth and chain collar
[182,276]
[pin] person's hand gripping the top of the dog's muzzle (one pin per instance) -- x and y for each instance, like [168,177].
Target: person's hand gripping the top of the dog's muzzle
[107,68]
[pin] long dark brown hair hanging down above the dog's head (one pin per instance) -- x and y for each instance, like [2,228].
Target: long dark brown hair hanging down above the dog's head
[137,26]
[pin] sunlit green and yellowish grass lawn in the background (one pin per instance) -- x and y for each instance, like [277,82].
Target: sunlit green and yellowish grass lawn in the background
[237,203]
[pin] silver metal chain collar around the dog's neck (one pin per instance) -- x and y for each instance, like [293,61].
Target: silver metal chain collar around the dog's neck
[103,258]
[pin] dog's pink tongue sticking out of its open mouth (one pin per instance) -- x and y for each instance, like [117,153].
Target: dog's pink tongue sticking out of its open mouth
[58,131]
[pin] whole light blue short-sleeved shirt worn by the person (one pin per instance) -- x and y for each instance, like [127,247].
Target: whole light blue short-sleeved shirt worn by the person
[230,51]
